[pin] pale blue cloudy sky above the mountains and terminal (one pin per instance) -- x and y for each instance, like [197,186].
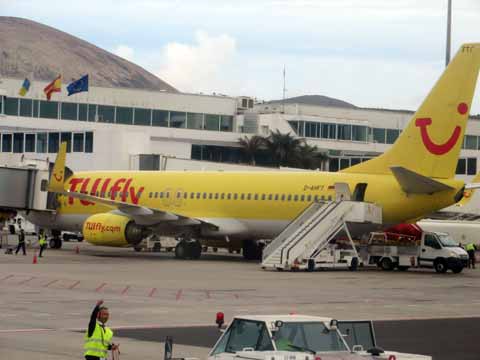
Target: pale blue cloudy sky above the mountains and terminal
[372,53]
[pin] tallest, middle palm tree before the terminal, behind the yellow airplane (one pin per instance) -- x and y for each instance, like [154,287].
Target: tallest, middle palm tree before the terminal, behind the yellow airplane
[283,147]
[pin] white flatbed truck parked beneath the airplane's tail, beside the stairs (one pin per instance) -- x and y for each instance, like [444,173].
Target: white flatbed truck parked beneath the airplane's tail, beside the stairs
[427,249]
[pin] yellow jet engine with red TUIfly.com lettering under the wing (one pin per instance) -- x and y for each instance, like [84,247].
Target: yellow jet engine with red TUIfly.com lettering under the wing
[112,230]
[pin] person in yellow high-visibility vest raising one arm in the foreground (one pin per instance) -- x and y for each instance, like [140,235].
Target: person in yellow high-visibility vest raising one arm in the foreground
[98,337]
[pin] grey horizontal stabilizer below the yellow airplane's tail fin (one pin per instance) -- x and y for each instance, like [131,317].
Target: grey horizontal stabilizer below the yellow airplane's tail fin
[414,183]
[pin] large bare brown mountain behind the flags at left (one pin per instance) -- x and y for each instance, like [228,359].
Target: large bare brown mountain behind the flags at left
[28,47]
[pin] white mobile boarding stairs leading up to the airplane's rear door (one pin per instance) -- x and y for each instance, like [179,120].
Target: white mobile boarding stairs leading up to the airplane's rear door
[312,230]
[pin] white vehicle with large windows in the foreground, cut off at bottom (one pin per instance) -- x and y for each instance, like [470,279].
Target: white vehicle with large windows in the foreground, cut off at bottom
[300,337]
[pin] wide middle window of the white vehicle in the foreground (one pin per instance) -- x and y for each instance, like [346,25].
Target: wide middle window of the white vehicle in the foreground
[308,337]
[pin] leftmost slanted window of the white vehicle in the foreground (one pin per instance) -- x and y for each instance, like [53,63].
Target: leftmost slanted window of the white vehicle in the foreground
[244,334]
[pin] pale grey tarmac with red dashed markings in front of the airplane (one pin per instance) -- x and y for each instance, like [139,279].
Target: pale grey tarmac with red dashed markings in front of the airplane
[45,307]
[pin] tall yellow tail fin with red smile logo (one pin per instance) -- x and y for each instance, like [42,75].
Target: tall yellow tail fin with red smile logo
[431,142]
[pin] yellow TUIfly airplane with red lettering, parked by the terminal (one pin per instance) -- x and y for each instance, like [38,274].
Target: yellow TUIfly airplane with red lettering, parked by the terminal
[415,177]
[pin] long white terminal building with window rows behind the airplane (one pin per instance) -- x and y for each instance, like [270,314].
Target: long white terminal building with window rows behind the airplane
[130,129]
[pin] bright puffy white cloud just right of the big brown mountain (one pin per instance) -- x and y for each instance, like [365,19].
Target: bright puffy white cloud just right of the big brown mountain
[200,66]
